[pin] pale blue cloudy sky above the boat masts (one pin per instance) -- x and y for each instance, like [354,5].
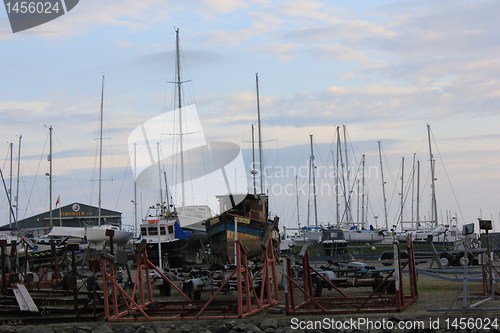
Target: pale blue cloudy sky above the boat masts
[383,69]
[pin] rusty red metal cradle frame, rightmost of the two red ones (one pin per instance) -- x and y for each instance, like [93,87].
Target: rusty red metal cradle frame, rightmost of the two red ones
[342,303]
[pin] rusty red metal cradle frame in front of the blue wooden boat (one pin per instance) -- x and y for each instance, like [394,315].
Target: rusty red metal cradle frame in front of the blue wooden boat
[140,305]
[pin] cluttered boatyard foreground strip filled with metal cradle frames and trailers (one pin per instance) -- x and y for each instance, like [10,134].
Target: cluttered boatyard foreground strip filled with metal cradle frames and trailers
[116,287]
